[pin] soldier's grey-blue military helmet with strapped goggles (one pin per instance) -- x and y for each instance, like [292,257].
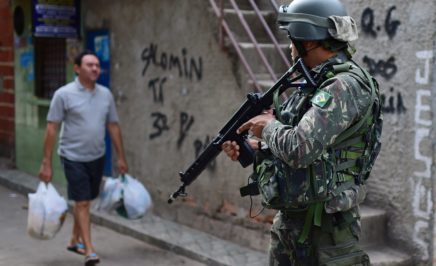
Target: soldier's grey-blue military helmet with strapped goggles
[310,20]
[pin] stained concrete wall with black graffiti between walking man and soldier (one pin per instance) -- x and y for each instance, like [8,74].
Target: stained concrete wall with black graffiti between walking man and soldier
[169,113]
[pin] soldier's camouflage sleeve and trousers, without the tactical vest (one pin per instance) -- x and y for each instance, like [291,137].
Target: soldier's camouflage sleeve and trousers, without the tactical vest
[298,142]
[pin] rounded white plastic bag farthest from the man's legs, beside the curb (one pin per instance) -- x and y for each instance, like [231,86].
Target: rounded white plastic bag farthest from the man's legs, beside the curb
[135,199]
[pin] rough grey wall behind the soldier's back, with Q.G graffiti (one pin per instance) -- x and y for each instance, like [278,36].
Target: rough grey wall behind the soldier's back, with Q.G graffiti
[396,44]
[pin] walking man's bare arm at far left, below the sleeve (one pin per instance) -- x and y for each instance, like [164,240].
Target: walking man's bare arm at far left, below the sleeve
[46,170]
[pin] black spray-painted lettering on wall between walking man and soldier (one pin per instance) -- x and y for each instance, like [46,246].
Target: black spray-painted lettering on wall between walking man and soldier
[183,66]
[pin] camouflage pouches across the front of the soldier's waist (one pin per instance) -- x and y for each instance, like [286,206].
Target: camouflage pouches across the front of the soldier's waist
[283,187]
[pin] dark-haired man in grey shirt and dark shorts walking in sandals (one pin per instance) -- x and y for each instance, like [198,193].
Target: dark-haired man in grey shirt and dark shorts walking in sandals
[84,109]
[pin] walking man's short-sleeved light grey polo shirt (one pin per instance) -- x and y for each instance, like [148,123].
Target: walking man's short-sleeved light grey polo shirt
[84,115]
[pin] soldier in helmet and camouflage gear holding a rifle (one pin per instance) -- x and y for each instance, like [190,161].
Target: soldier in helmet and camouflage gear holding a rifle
[319,146]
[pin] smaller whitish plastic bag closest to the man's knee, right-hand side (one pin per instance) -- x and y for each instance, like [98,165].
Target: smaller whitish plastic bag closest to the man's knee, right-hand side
[110,195]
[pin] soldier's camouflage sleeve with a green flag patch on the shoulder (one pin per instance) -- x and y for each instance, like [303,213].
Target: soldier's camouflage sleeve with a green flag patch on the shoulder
[345,102]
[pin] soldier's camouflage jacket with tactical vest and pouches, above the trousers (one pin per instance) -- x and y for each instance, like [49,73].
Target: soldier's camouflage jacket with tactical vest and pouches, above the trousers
[305,161]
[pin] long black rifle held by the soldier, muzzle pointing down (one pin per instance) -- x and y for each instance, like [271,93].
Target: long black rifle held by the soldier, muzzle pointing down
[255,104]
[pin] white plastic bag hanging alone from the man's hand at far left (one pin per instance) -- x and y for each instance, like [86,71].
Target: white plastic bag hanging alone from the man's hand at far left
[47,212]
